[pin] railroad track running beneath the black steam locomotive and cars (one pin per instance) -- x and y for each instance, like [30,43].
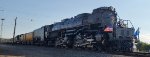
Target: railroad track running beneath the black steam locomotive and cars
[134,54]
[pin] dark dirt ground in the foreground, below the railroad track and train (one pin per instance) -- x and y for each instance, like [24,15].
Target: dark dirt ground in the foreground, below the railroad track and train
[36,51]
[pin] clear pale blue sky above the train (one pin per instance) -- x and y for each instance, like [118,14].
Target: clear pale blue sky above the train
[44,12]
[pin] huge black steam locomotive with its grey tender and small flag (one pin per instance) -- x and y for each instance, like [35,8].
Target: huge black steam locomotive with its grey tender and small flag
[98,30]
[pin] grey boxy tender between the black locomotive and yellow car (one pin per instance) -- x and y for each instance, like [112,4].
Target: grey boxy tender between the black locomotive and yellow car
[42,36]
